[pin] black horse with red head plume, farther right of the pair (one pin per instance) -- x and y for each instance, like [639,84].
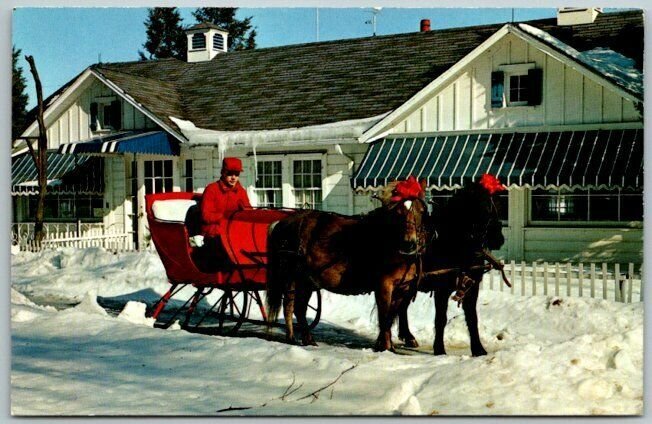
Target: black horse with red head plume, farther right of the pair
[467,227]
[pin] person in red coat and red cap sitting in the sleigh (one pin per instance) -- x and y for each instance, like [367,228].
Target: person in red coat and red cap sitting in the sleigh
[219,200]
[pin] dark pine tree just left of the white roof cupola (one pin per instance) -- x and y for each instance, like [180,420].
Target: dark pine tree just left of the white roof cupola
[165,34]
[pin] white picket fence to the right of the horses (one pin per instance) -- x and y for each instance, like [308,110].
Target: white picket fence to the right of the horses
[616,282]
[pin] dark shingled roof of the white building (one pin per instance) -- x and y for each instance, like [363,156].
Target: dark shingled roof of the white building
[317,83]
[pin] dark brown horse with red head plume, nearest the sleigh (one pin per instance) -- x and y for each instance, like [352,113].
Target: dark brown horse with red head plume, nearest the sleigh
[377,252]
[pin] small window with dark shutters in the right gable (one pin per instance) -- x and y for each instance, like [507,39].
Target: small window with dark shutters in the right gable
[516,85]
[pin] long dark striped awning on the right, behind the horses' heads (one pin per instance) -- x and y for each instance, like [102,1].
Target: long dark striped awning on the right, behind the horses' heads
[587,158]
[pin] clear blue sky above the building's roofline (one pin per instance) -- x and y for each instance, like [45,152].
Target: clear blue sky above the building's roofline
[64,41]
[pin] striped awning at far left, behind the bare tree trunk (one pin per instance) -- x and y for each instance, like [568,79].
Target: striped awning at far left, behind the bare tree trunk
[66,174]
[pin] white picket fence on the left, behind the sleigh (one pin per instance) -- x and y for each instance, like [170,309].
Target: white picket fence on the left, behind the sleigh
[76,235]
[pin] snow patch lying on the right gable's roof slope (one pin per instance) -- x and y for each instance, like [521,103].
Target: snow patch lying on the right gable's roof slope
[606,62]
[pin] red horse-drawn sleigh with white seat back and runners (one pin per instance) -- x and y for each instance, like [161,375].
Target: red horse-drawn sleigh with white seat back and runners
[237,279]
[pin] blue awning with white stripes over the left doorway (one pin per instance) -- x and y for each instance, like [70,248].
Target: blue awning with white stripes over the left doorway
[152,142]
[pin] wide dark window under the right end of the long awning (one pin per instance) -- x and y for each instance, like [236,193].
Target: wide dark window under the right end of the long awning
[587,205]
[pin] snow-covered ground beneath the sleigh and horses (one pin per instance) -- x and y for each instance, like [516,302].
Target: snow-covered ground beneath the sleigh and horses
[547,355]
